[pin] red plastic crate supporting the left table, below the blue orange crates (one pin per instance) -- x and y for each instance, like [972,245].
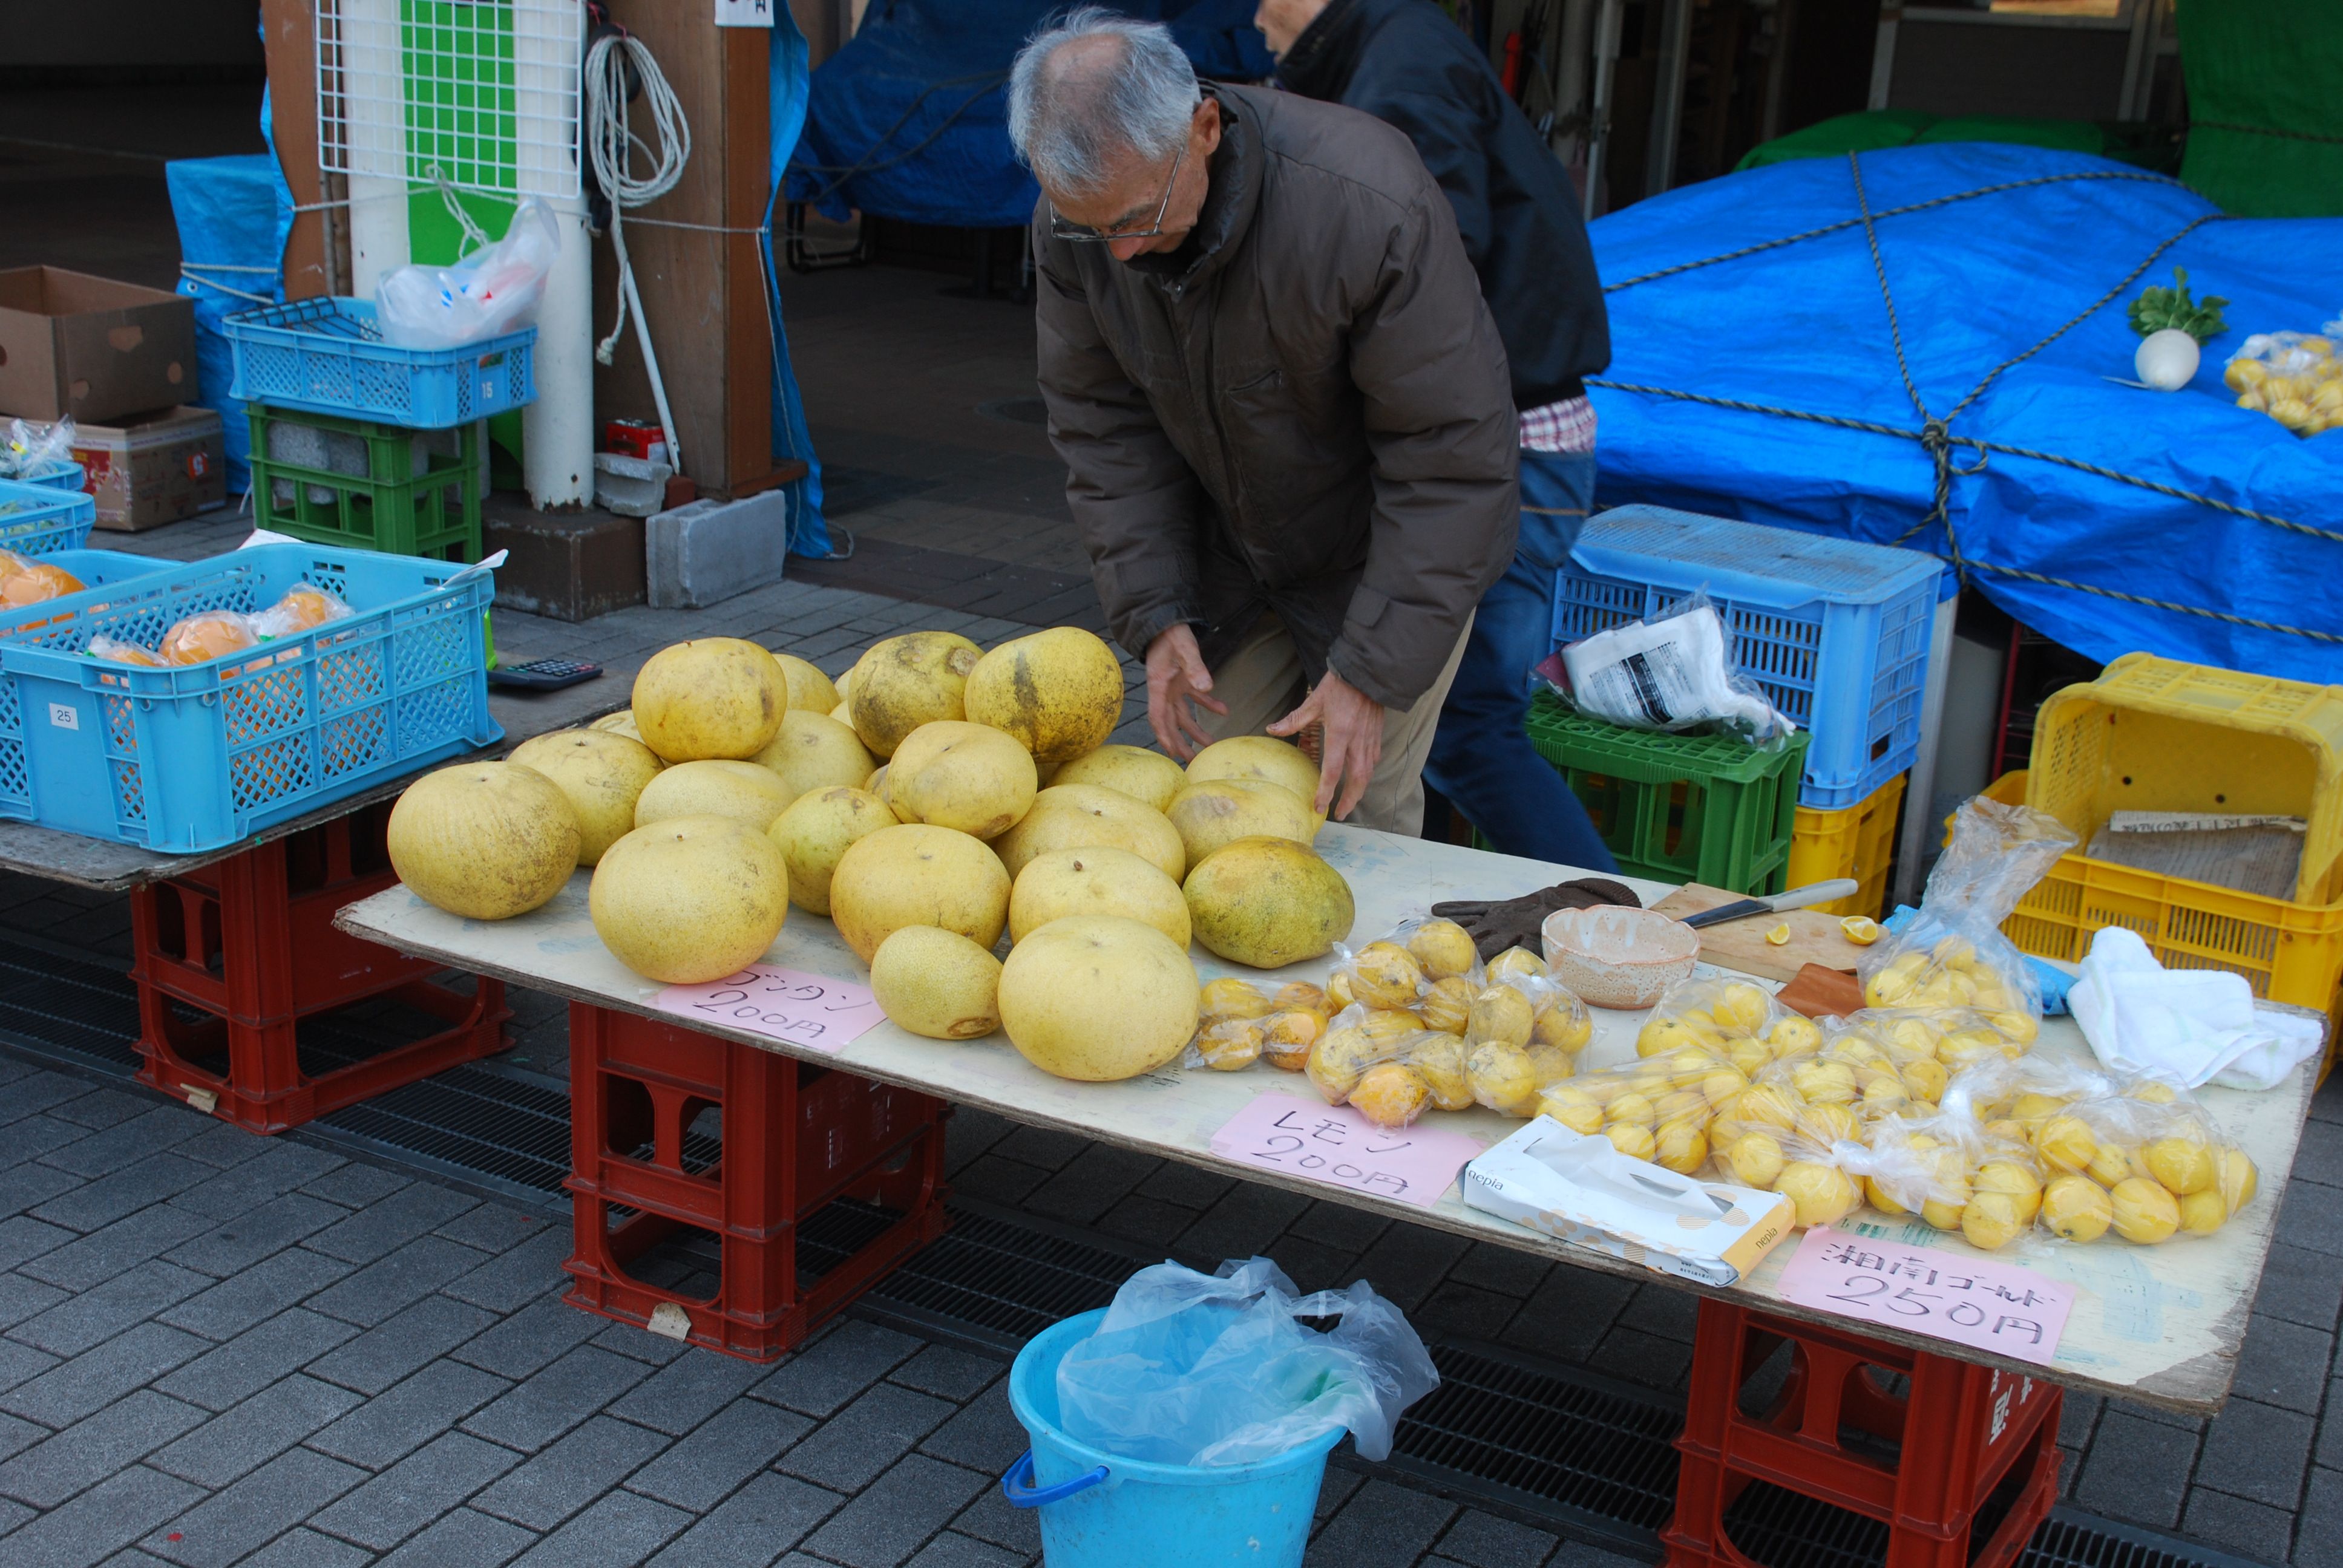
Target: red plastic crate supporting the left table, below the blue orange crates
[250,946]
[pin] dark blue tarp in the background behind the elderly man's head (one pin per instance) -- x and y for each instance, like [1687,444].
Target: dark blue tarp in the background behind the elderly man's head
[910,118]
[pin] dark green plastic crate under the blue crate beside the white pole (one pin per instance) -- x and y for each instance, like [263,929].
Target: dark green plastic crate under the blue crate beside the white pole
[421,493]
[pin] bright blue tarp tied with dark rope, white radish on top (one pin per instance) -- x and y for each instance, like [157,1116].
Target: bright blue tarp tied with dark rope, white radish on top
[1913,348]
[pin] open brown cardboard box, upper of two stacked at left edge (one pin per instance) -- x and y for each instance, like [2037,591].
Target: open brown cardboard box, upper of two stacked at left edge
[90,348]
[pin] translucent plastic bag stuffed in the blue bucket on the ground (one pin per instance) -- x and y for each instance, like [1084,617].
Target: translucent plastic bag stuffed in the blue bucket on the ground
[1217,1370]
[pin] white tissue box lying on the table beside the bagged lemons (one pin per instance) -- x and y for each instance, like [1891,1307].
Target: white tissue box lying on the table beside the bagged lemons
[1585,1192]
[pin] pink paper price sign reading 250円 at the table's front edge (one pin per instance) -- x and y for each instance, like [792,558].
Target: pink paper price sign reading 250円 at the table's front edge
[1925,1290]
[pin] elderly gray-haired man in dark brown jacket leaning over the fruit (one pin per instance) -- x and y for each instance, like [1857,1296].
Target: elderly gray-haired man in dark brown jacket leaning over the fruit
[1283,407]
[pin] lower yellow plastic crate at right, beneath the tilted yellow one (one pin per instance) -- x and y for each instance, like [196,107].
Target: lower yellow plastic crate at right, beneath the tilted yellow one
[2286,950]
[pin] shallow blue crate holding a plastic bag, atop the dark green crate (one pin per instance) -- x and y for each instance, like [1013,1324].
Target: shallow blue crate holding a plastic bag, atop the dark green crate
[329,357]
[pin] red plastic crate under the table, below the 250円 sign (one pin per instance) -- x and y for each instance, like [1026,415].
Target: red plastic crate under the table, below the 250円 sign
[1955,1438]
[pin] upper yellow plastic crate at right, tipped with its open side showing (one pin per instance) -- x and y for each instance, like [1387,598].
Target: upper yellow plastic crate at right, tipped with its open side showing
[2157,735]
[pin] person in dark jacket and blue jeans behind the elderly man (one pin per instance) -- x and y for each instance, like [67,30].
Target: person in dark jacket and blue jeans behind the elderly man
[1519,217]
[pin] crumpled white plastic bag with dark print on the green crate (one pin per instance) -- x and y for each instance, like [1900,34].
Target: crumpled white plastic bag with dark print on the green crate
[1669,674]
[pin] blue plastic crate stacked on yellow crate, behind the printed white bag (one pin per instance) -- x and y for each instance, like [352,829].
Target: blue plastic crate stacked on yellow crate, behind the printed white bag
[1836,632]
